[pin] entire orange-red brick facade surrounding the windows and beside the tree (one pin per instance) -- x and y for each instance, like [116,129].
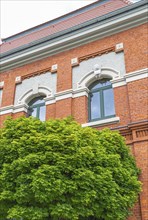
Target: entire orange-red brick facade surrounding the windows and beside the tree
[131,103]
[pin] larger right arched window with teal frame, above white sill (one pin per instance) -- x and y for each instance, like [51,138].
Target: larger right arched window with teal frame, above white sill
[101,100]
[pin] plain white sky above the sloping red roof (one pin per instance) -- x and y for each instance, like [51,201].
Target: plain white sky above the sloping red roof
[19,15]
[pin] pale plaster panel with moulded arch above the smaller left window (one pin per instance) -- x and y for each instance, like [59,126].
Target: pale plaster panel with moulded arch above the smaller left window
[44,84]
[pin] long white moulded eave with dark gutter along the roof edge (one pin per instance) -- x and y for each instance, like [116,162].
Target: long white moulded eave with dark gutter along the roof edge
[86,32]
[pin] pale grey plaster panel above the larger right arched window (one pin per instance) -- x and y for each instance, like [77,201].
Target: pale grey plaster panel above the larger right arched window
[111,61]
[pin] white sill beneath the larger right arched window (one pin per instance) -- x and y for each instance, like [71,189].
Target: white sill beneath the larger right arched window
[102,122]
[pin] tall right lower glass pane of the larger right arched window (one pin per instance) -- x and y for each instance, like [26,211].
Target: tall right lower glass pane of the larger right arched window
[108,102]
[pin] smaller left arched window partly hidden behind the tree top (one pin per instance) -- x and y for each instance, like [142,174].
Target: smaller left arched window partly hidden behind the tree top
[37,108]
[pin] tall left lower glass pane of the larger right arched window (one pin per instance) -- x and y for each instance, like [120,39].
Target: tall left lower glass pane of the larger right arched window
[95,106]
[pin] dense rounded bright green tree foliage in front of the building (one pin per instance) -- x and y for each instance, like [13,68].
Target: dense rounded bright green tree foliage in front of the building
[58,170]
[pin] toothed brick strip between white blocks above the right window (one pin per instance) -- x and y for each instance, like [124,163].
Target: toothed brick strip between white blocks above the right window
[98,53]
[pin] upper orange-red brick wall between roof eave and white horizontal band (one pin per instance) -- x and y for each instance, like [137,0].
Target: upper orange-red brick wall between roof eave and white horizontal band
[134,51]
